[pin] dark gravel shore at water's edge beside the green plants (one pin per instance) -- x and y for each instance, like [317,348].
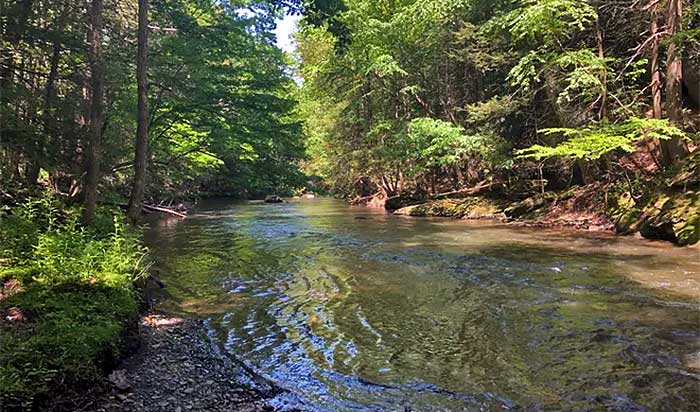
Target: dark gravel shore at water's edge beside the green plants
[177,369]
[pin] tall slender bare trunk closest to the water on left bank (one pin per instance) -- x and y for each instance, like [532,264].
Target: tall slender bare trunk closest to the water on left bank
[140,160]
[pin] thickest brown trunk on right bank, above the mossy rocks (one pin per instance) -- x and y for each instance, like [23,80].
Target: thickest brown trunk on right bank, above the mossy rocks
[674,149]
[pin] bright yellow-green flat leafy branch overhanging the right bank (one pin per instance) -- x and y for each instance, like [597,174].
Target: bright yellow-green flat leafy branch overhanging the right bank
[593,142]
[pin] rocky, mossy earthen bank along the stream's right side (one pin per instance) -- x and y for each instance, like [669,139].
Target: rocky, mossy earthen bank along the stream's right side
[670,212]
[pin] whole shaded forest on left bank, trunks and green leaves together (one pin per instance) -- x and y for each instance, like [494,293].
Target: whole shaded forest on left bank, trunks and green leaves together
[210,98]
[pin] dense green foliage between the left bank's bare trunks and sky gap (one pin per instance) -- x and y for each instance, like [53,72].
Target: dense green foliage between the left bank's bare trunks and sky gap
[226,105]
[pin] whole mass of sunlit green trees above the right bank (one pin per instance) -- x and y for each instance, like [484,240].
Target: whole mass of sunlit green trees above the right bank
[433,94]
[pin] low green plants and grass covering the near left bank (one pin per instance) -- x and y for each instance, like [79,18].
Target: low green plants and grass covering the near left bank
[67,295]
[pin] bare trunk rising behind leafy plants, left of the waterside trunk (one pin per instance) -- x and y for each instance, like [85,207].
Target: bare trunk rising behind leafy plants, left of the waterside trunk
[95,60]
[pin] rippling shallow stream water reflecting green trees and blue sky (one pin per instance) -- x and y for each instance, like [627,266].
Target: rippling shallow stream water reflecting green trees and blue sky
[352,309]
